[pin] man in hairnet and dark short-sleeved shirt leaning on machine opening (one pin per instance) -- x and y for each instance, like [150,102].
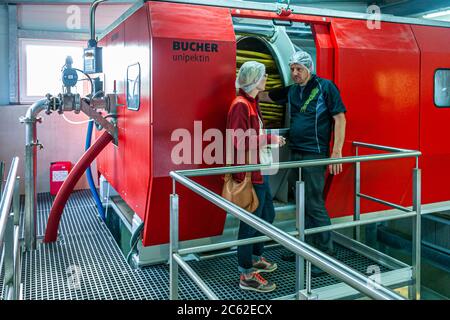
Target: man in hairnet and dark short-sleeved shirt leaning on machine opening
[316,110]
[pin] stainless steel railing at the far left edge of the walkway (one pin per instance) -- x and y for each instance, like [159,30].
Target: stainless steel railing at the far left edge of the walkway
[10,249]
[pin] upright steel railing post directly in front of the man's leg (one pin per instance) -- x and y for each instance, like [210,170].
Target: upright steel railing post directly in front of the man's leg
[300,224]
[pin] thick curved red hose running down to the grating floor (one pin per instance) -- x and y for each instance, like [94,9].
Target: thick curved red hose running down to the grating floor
[51,233]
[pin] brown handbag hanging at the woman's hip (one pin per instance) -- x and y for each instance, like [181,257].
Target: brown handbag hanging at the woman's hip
[242,193]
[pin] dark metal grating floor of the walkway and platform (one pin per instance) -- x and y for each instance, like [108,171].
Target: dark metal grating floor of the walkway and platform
[86,263]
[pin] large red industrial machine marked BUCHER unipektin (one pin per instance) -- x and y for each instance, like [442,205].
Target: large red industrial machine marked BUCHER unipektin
[174,64]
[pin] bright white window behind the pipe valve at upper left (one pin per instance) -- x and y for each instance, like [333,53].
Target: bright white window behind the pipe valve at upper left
[40,67]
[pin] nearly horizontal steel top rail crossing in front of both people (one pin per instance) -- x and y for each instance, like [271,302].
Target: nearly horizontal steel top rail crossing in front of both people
[296,164]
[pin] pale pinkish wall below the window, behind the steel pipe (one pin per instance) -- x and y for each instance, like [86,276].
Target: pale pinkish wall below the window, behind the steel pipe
[62,142]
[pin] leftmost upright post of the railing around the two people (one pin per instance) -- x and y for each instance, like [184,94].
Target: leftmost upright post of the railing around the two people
[174,228]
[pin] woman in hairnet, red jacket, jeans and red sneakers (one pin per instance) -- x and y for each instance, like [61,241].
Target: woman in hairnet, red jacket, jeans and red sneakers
[245,115]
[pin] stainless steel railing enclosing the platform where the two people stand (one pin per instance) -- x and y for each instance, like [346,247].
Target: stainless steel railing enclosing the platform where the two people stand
[303,251]
